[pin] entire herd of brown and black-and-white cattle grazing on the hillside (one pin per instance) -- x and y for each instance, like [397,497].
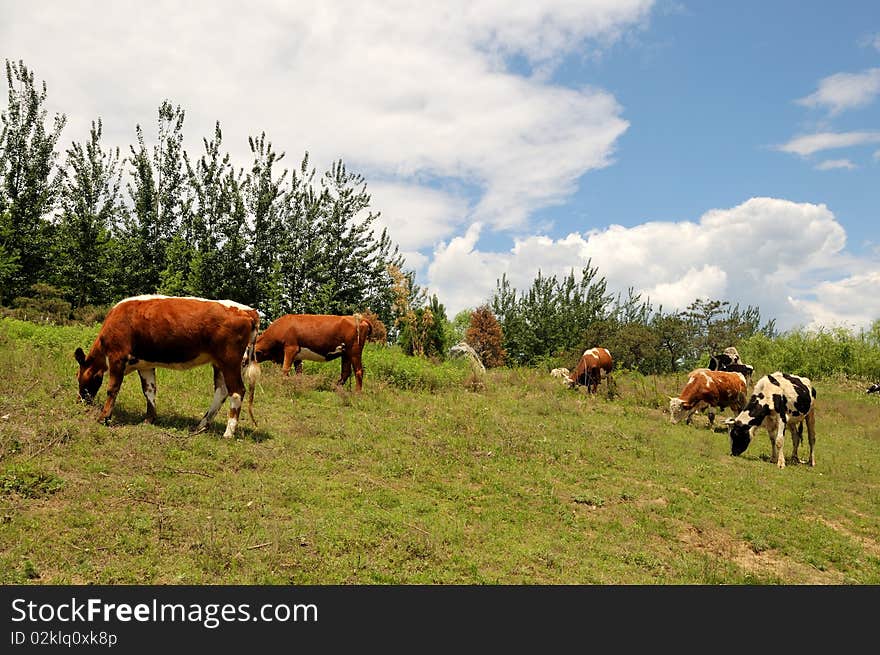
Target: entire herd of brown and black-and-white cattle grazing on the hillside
[144,333]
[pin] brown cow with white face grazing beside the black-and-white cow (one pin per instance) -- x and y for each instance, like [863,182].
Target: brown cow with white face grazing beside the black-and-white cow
[707,389]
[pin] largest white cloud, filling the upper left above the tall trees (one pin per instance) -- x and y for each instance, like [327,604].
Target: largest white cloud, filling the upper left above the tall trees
[406,92]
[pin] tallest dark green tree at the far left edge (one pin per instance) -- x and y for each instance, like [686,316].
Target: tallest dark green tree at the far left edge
[27,162]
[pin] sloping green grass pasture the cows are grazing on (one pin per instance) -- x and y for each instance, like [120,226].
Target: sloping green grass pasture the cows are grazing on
[422,478]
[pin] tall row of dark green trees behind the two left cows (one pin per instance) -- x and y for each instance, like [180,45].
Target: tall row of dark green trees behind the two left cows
[95,225]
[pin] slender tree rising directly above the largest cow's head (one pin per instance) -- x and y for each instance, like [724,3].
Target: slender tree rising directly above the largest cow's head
[90,208]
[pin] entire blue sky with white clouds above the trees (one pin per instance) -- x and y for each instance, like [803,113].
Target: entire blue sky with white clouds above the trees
[687,149]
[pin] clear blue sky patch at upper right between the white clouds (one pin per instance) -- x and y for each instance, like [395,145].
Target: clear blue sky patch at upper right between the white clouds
[709,89]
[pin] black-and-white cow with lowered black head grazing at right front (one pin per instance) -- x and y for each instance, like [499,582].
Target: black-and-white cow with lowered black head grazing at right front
[779,400]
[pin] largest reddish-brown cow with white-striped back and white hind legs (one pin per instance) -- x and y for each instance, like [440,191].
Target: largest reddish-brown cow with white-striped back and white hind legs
[143,333]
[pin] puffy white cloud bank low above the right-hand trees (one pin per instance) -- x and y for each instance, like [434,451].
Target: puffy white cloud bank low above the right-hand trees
[761,253]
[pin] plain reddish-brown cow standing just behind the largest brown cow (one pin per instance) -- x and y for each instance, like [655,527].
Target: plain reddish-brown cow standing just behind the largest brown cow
[317,337]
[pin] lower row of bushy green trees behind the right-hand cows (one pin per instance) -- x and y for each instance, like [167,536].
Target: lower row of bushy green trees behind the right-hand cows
[554,321]
